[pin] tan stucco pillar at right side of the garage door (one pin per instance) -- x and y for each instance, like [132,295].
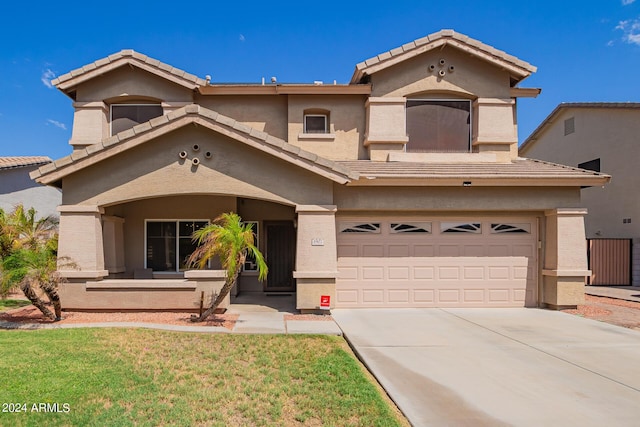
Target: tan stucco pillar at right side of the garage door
[565,263]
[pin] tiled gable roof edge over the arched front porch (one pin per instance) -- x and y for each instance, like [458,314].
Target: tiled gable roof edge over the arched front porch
[192,114]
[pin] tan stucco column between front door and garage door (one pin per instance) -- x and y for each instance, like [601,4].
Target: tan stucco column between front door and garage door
[316,255]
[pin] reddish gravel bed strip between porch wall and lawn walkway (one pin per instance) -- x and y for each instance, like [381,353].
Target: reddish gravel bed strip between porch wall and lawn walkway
[30,314]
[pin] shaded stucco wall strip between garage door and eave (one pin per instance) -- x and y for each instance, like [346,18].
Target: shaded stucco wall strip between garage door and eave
[446,199]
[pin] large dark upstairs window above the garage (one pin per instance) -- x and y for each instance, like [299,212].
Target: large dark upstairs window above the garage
[439,125]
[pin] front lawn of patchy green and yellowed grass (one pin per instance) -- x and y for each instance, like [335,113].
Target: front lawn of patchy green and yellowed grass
[122,377]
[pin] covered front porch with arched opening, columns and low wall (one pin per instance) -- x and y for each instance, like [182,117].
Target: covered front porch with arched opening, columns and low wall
[141,247]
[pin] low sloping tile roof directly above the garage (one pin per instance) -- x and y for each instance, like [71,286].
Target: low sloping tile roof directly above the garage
[520,169]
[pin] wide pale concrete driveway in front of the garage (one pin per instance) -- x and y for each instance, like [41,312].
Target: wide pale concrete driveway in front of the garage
[491,367]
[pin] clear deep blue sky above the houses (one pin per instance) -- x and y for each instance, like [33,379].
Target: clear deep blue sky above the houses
[584,50]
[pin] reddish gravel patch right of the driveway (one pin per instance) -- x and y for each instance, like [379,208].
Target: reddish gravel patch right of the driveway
[610,310]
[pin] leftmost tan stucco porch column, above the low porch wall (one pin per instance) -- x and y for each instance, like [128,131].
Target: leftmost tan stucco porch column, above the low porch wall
[80,245]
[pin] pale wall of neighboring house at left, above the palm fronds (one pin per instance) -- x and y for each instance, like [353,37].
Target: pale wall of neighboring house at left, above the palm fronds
[16,187]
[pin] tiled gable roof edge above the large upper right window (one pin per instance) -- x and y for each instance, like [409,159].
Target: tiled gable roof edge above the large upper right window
[517,68]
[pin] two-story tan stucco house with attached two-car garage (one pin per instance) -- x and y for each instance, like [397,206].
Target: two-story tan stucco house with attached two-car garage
[402,188]
